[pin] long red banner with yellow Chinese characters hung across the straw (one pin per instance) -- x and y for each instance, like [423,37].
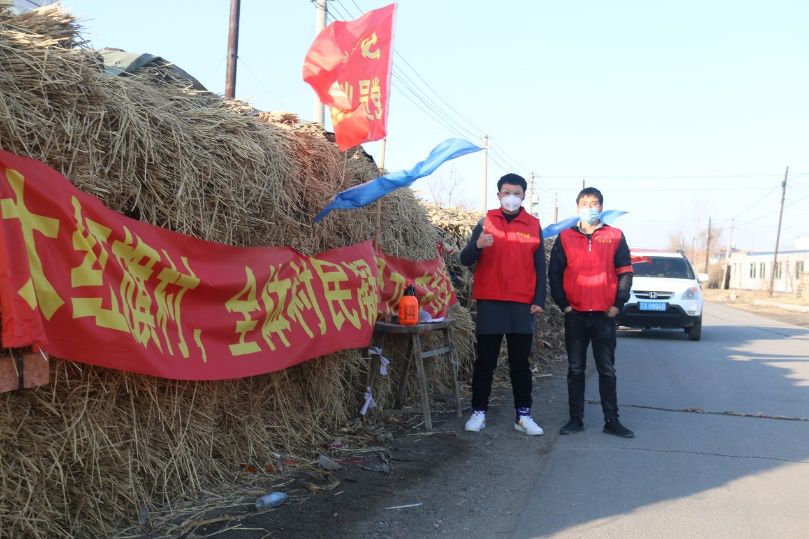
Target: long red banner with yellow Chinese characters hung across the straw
[90,285]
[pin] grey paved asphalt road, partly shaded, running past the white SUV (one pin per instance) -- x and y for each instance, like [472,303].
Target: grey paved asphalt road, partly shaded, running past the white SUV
[721,446]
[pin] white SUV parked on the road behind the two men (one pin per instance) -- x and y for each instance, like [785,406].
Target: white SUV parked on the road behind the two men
[665,293]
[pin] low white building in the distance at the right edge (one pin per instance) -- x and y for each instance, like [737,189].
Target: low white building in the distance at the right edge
[752,270]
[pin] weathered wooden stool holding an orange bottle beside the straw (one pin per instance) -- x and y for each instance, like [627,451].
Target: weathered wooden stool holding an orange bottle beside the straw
[417,355]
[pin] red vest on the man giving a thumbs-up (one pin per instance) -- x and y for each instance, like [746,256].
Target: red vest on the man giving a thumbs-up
[505,271]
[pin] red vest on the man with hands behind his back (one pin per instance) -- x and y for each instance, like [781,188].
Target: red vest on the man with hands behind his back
[590,280]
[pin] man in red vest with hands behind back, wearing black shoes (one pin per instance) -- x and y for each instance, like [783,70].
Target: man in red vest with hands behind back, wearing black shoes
[590,275]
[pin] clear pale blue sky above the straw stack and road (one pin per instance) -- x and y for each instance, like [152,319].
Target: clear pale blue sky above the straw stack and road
[677,111]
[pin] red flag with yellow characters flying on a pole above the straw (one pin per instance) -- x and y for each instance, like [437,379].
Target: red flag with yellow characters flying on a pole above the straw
[348,66]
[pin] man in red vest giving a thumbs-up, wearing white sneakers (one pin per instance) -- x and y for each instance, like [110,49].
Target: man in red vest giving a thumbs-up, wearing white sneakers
[509,288]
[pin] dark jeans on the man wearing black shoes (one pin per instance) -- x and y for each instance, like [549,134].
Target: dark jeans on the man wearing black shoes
[582,328]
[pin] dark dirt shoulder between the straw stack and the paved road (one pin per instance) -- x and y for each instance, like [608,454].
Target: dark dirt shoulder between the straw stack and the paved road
[451,483]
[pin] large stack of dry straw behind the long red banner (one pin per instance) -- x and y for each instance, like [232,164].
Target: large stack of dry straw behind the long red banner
[97,448]
